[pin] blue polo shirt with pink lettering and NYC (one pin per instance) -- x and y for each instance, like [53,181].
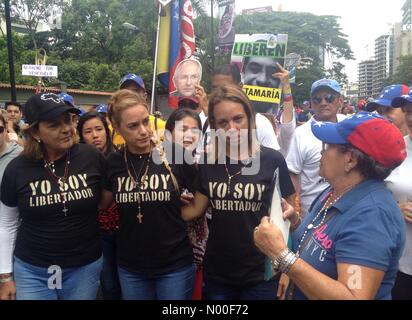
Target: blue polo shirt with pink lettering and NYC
[366,229]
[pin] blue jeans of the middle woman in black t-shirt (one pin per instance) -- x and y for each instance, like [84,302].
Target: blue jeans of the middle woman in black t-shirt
[177,285]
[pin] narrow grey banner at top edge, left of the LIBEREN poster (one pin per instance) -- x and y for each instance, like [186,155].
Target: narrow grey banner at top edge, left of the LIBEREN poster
[226,30]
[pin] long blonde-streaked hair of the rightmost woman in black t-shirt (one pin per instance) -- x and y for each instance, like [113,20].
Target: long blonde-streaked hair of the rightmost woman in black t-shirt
[233,93]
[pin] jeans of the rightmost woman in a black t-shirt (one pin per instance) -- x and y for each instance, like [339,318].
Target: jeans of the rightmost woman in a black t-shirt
[266,290]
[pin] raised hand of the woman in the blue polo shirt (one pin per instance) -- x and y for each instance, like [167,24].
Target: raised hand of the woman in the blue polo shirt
[269,239]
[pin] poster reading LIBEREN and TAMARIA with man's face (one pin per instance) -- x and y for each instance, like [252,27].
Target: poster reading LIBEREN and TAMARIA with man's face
[256,56]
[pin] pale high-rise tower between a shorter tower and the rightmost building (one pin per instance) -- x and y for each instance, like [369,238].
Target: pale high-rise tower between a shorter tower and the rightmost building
[383,63]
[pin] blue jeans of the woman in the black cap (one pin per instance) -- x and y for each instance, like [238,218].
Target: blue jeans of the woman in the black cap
[40,283]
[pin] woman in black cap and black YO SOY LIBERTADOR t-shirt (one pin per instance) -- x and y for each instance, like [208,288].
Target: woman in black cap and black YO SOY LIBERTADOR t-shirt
[49,199]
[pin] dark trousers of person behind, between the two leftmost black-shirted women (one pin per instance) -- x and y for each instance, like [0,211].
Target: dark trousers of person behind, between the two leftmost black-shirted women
[109,278]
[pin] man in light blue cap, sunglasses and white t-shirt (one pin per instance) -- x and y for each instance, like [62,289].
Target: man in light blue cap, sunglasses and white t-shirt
[304,155]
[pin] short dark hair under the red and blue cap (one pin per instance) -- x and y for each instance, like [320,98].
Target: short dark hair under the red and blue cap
[367,166]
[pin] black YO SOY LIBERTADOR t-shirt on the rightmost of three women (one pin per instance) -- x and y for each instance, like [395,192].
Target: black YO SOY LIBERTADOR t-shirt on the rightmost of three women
[231,255]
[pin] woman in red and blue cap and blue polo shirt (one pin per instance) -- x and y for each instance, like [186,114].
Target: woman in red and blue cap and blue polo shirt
[349,245]
